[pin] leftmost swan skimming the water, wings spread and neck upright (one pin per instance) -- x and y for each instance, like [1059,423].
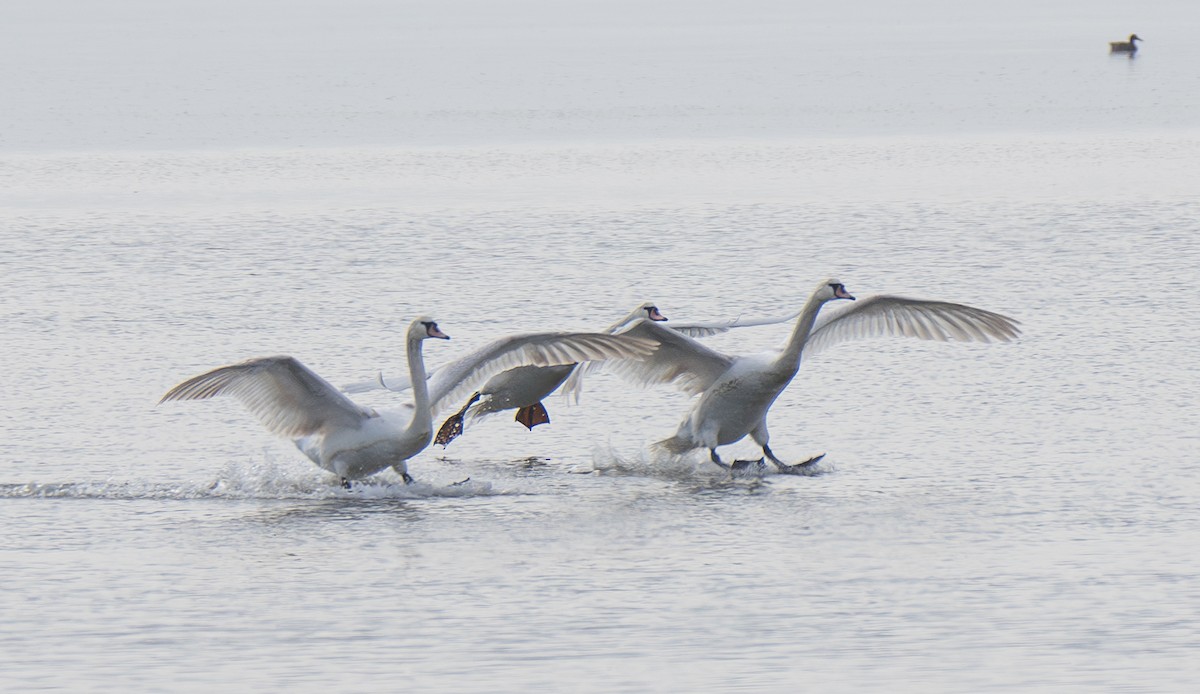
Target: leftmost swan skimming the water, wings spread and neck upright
[353,441]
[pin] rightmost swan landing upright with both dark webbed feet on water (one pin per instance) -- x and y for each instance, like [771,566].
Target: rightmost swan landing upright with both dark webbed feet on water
[736,393]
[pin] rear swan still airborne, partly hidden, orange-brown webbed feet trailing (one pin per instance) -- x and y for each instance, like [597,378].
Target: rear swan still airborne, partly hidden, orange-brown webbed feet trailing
[525,388]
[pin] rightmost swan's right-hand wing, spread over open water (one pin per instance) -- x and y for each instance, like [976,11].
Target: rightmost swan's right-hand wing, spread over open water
[885,315]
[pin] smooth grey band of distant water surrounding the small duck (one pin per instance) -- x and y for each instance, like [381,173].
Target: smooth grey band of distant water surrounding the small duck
[219,74]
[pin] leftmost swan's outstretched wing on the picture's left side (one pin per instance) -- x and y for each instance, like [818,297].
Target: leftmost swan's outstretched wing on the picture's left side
[286,397]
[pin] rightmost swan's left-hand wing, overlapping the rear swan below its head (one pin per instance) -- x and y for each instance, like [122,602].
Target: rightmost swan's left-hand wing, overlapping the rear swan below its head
[680,361]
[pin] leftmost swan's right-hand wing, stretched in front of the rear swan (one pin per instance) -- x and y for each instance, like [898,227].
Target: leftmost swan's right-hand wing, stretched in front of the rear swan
[458,380]
